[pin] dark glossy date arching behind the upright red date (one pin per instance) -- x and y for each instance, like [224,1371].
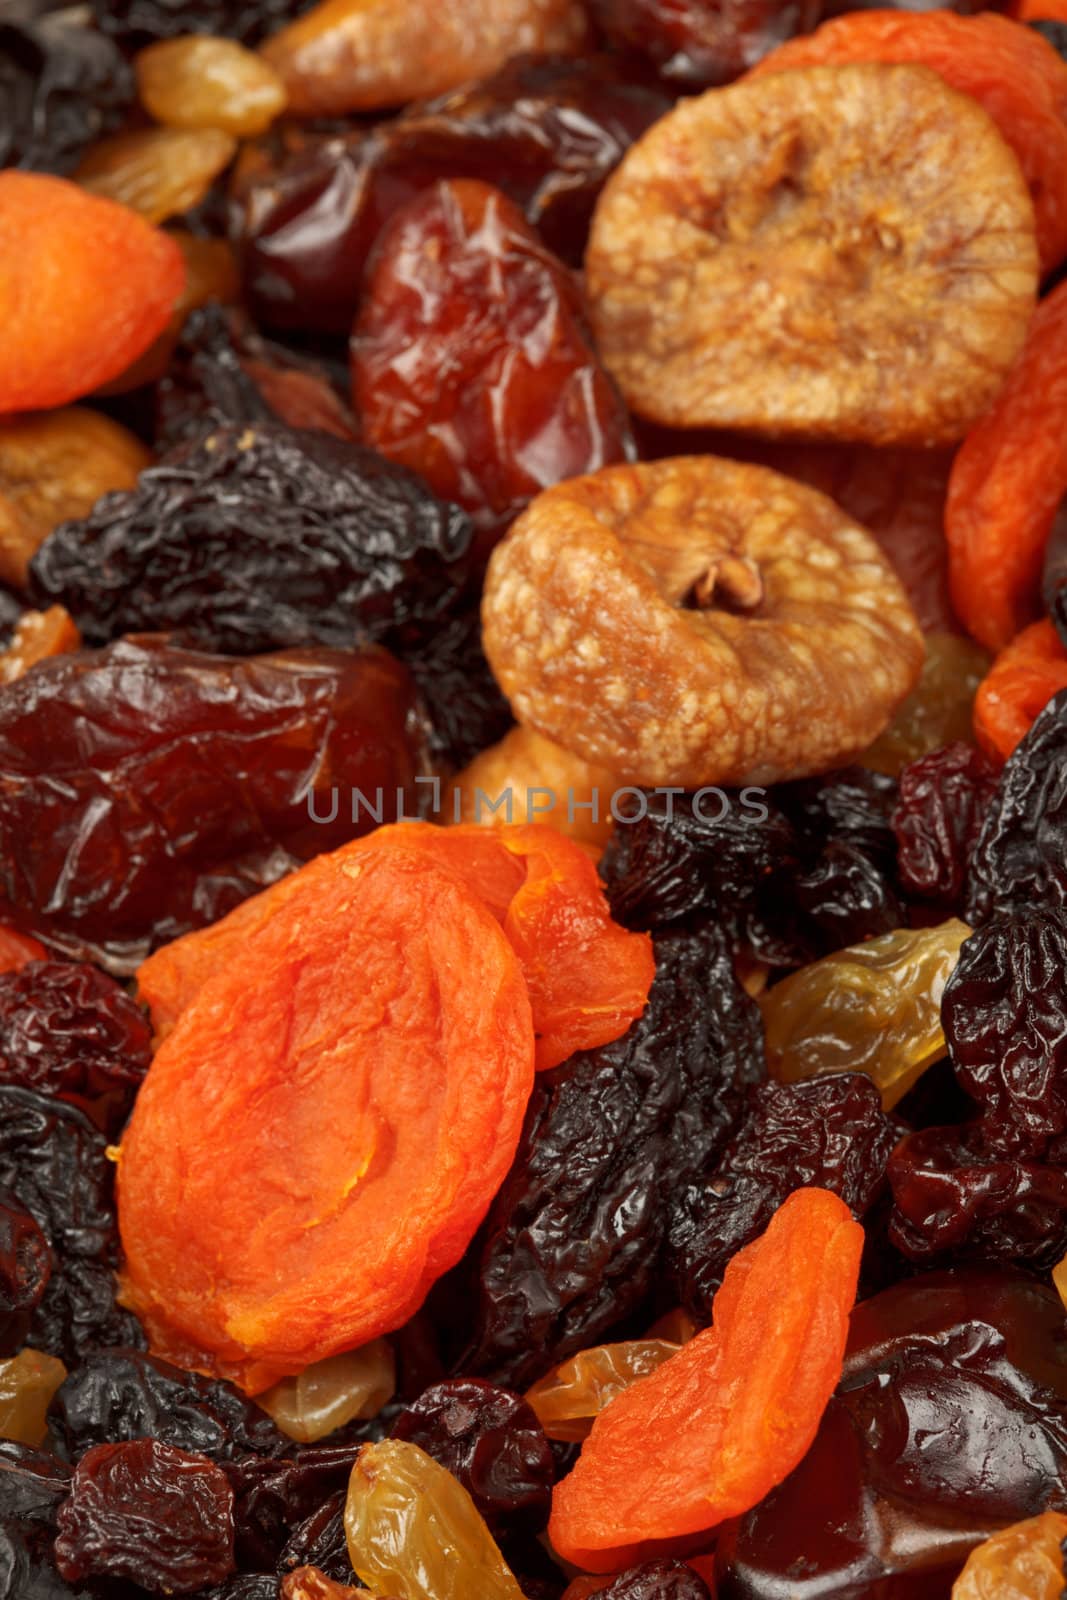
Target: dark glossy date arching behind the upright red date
[548,130]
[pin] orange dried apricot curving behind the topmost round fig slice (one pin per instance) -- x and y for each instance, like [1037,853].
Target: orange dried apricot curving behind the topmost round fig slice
[1009,70]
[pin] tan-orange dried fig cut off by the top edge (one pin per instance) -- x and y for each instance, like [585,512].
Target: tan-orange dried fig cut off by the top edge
[367,55]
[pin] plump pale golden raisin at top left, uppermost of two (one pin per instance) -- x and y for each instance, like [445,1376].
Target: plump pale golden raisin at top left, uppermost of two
[206,82]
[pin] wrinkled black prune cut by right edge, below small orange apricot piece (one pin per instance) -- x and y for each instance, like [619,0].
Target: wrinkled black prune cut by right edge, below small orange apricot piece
[1020,860]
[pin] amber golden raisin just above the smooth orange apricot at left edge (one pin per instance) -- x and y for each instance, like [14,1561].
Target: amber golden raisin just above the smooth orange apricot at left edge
[158,172]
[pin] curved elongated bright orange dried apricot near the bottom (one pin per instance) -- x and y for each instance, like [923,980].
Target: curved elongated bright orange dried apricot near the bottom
[735,1410]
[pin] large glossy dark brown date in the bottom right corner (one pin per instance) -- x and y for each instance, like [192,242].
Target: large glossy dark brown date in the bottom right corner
[949,1423]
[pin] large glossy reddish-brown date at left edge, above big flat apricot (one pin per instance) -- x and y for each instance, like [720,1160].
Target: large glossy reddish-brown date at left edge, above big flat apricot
[150,790]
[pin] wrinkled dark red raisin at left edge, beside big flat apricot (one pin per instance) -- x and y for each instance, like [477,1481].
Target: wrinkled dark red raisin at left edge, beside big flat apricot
[68,1030]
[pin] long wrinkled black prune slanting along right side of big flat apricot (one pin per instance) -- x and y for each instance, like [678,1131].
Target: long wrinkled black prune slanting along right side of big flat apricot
[612,1140]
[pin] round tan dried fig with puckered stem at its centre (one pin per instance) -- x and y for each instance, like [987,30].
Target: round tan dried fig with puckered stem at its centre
[698,622]
